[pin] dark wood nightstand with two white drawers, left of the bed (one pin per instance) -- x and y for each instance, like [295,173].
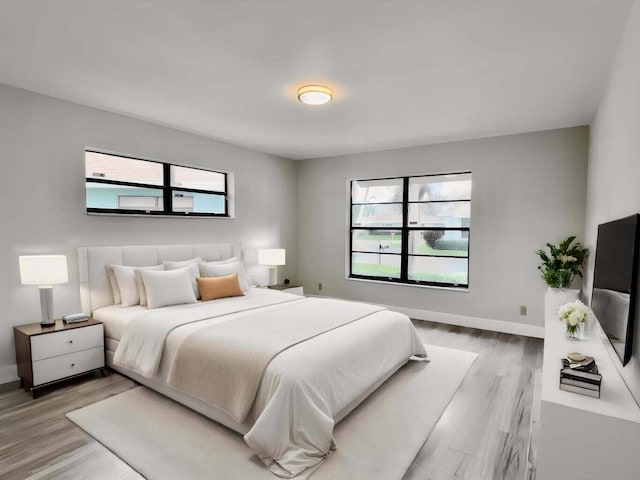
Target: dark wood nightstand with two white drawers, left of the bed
[47,355]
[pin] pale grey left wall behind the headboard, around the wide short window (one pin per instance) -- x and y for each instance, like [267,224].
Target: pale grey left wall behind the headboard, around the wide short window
[42,196]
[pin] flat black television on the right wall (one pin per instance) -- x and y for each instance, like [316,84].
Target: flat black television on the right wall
[613,299]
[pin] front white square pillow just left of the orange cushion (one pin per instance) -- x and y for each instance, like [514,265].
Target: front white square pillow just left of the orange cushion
[169,287]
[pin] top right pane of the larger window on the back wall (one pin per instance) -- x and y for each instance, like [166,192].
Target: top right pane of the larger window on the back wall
[440,187]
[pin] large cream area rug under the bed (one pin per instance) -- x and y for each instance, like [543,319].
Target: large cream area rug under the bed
[162,439]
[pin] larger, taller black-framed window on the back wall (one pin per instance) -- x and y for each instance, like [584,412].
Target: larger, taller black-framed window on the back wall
[412,230]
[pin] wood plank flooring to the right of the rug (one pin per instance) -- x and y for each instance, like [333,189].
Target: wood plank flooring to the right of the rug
[489,429]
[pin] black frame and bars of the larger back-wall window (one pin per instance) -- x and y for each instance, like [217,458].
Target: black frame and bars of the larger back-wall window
[405,229]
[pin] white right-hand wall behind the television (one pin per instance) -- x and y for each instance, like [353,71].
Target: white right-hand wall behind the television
[614,161]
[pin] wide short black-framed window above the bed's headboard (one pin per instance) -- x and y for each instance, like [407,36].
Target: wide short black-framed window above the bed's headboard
[125,185]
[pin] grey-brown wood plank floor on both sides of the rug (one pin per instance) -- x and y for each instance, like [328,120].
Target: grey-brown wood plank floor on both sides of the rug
[488,432]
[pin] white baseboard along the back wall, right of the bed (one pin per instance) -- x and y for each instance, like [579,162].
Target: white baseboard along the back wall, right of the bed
[514,328]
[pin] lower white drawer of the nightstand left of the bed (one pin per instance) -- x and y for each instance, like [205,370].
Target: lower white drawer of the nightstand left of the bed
[51,369]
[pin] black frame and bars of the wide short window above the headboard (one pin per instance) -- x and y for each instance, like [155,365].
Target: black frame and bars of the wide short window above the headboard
[167,190]
